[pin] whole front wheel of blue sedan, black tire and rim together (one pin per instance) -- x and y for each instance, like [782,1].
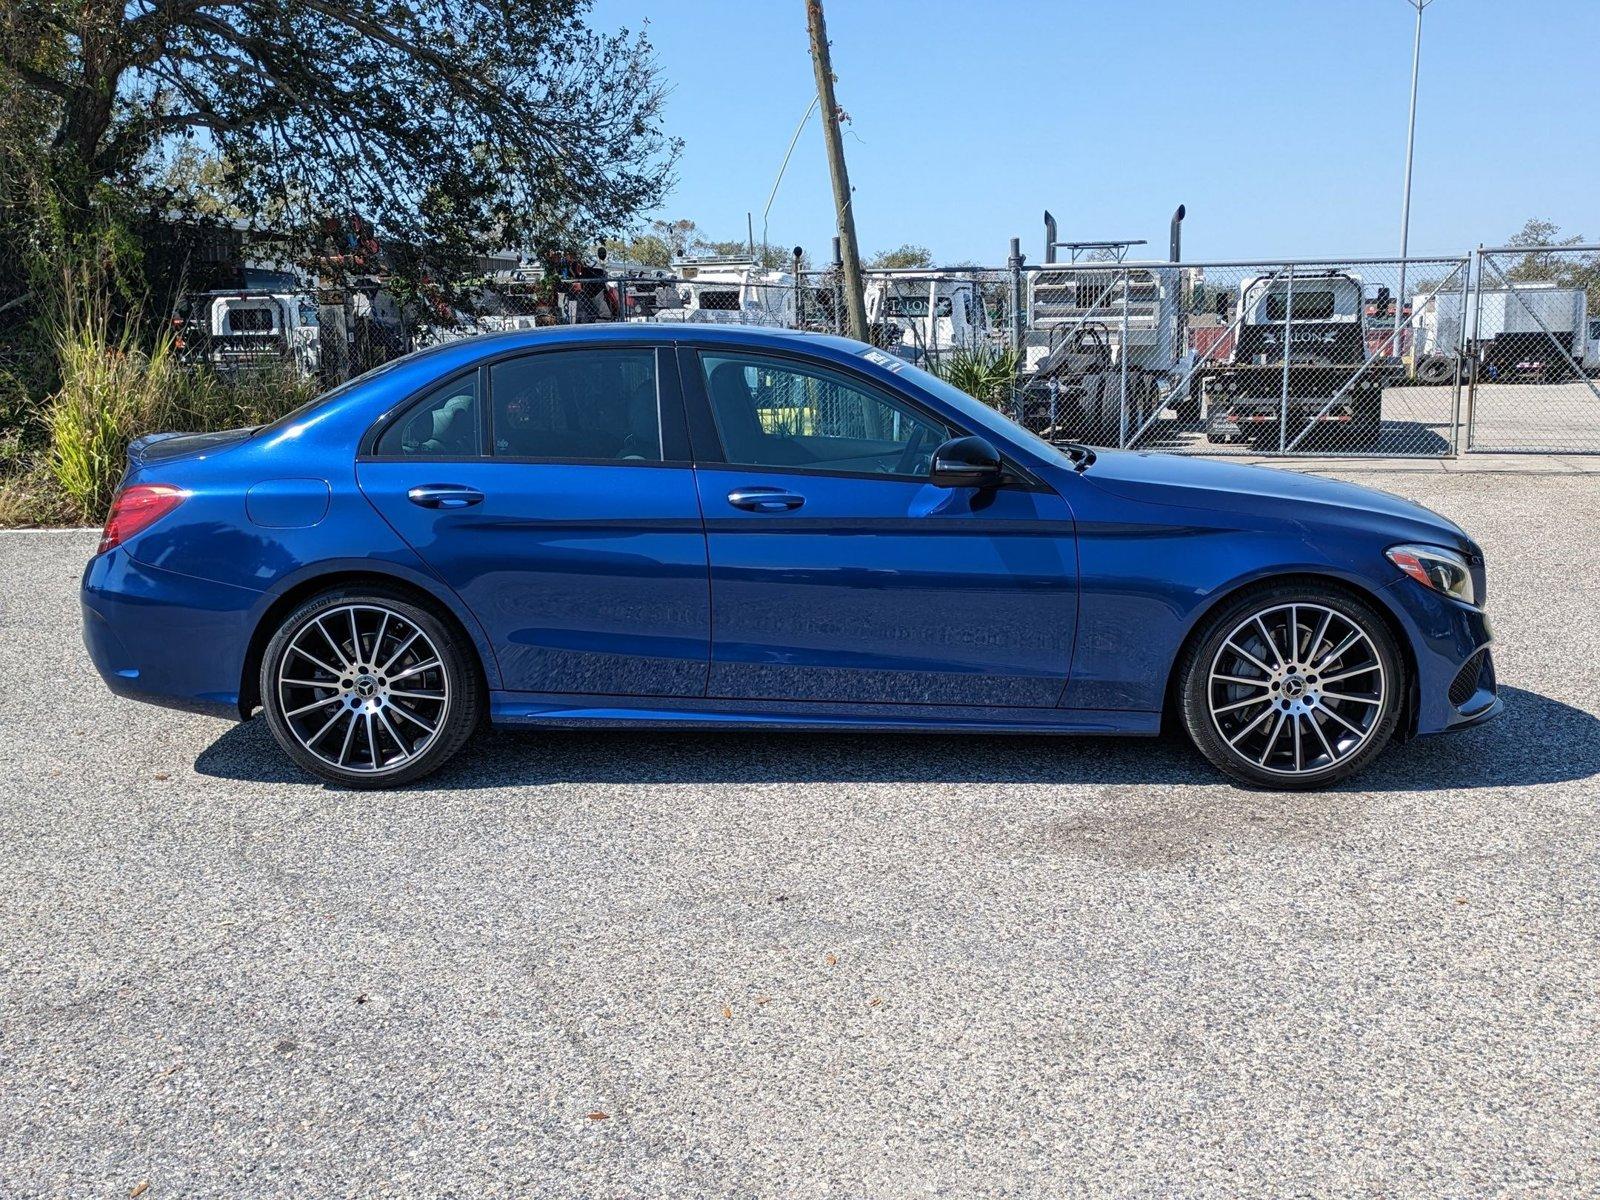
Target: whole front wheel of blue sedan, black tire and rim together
[1322,750]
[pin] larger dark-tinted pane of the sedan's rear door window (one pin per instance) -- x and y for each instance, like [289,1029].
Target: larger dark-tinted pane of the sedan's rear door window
[578,406]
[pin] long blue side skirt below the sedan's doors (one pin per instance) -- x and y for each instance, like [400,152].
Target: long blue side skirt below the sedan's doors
[681,713]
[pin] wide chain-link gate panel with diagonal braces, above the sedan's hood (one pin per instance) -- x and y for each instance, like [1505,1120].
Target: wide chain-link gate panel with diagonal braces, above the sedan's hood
[1268,358]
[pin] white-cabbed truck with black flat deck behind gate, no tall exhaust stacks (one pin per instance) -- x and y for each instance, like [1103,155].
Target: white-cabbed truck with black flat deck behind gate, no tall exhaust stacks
[1298,361]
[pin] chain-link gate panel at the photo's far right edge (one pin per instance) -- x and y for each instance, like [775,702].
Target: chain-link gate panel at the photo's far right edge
[1529,340]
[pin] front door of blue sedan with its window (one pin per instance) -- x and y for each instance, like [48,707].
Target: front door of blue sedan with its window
[841,575]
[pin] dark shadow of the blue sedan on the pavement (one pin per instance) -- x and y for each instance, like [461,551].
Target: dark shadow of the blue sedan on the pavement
[1537,742]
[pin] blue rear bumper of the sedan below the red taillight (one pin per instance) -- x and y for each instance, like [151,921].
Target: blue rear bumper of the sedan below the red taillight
[164,638]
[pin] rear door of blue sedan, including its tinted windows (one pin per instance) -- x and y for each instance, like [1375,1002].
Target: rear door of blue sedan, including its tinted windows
[554,494]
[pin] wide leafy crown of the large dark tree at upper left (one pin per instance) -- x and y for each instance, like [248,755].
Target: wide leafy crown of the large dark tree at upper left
[452,127]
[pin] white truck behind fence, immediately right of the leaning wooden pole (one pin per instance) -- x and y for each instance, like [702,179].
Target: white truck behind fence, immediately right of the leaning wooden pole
[922,314]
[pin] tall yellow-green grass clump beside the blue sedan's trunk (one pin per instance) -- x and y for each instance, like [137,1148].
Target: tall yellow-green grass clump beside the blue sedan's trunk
[116,385]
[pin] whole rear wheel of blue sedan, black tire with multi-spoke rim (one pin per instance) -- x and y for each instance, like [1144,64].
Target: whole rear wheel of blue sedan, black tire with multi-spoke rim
[359,657]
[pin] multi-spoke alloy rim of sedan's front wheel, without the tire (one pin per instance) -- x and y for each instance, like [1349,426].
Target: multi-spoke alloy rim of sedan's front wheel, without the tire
[1297,689]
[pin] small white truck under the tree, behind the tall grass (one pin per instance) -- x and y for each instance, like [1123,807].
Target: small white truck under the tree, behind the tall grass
[234,330]
